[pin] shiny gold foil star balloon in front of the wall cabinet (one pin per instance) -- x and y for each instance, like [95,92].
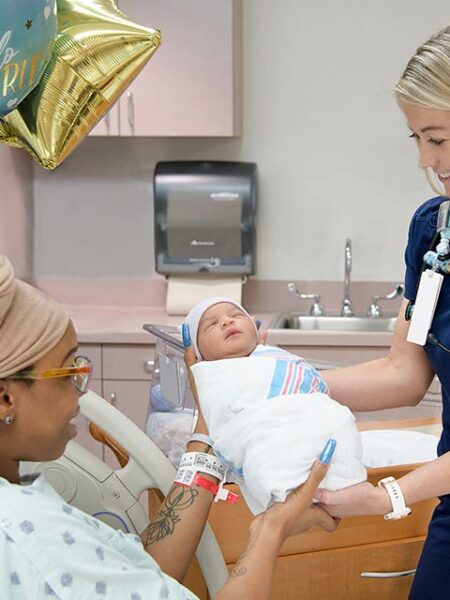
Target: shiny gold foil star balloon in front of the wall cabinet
[96,55]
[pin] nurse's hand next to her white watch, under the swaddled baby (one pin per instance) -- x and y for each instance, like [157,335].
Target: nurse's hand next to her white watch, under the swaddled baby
[361,499]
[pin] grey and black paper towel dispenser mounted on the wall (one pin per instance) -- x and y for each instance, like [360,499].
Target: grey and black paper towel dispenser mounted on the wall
[205,214]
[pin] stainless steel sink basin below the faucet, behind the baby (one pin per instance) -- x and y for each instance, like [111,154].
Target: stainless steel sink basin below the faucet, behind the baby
[295,320]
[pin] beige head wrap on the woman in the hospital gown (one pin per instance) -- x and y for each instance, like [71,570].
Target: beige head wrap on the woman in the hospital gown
[31,323]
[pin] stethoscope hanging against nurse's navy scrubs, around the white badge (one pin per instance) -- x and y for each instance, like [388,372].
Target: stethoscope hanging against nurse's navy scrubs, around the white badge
[438,258]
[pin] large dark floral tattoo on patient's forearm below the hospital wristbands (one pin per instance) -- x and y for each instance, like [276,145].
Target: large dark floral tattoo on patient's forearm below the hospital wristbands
[179,498]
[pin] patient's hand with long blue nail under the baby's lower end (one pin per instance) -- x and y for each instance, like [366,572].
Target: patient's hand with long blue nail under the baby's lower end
[298,513]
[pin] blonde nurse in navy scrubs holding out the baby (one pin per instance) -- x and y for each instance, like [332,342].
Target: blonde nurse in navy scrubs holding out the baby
[402,378]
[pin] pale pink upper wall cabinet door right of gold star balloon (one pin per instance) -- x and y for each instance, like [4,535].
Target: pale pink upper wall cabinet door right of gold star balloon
[191,86]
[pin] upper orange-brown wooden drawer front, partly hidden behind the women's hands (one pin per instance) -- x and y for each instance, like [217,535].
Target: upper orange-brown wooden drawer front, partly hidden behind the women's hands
[231,523]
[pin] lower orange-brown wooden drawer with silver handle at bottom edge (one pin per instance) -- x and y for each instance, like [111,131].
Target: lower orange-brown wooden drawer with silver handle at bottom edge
[336,574]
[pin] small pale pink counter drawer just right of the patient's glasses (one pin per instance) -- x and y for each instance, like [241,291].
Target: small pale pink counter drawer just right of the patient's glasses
[123,361]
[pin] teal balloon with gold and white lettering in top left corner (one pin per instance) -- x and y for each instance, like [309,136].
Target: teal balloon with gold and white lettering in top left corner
[27,31]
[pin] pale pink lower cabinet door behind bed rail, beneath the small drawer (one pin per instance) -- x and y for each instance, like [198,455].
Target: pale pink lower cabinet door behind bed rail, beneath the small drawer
[132,399]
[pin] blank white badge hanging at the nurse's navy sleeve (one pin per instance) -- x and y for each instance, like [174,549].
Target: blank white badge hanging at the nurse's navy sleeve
[426,300]
